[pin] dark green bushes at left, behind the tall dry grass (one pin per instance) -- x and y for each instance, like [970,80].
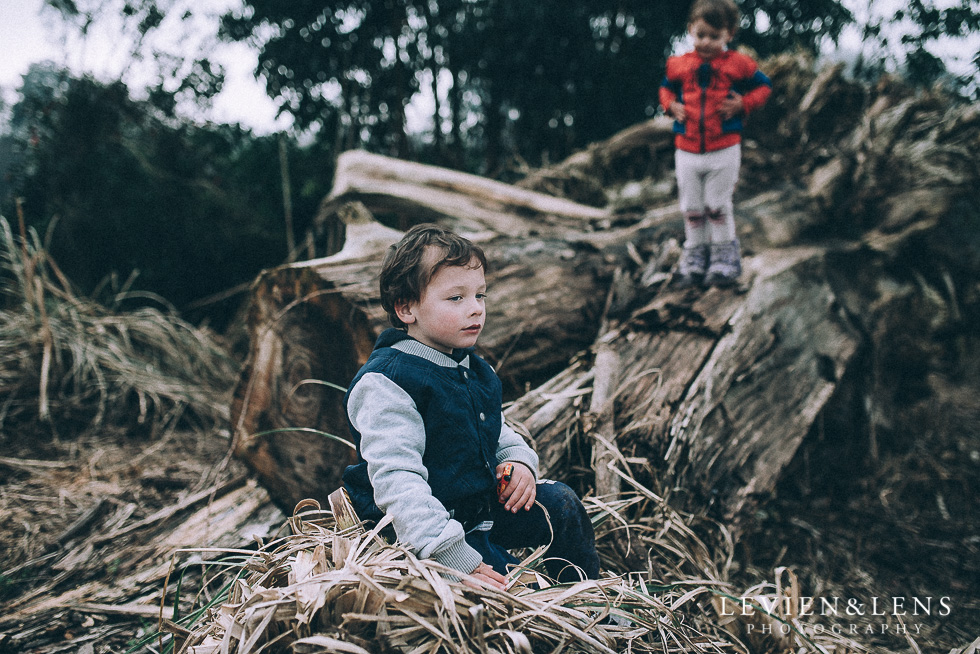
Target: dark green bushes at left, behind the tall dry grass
[117,190]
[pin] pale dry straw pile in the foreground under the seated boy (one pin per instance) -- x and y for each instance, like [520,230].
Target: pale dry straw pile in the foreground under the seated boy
[325,587]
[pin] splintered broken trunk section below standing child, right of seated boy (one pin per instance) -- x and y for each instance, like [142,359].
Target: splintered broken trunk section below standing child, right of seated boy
[716,390]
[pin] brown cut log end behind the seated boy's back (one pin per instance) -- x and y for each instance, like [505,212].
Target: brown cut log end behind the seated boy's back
[308,341]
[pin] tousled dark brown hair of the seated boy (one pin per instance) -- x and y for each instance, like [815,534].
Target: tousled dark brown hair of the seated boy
[404,275]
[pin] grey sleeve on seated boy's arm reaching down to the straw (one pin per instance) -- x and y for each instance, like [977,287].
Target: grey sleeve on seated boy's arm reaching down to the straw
[392,443]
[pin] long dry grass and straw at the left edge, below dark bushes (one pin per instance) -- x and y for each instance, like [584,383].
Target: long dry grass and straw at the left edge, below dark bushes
[123,390]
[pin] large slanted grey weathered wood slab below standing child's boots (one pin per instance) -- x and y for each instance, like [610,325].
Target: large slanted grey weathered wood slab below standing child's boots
[757,388]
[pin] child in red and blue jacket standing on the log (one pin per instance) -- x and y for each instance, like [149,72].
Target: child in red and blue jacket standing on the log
[708,91]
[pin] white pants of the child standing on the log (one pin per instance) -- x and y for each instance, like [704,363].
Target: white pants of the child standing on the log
[705,185]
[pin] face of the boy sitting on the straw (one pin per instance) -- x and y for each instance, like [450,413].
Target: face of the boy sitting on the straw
[452,310]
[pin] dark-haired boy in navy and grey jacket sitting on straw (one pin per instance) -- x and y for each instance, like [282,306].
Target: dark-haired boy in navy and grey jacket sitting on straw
[425,414]
